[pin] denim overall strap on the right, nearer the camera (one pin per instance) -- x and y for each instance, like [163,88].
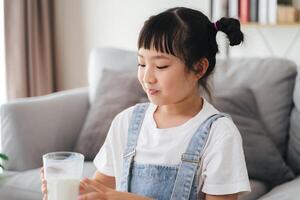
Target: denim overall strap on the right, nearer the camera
[191,158]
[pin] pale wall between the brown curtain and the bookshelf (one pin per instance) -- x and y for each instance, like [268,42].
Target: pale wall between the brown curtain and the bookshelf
[81,25]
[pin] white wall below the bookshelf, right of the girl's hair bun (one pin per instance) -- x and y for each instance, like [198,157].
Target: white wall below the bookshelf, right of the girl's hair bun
[269,41]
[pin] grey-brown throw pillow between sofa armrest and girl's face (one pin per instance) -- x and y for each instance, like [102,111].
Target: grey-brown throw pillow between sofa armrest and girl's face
[117,90]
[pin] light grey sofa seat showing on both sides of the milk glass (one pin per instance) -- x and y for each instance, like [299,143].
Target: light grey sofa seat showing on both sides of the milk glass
[27,185]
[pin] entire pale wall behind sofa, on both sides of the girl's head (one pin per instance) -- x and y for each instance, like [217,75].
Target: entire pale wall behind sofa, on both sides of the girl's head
[81,25]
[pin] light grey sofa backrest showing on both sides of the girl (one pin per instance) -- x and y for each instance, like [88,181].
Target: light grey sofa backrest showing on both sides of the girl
[272,81]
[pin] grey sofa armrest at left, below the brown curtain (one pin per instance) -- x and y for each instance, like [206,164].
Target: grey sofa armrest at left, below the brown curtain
[31,127]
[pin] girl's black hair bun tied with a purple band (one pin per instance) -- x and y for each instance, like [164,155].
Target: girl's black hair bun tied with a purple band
[232,28]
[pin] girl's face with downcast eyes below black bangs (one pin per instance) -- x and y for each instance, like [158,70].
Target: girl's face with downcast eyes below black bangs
[165,77]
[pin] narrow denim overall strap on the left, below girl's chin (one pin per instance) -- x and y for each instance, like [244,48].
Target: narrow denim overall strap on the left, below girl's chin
[133,133]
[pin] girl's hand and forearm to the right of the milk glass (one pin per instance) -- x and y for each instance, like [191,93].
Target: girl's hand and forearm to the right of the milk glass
[93,190]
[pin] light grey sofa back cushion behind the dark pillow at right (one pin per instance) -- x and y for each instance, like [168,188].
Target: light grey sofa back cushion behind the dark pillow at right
[272,82]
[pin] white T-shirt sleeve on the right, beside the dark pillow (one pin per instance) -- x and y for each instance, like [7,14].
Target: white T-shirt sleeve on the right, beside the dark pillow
[224,167]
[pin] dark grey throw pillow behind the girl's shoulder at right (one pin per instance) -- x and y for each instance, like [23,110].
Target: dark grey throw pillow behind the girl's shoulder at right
[263,159]
